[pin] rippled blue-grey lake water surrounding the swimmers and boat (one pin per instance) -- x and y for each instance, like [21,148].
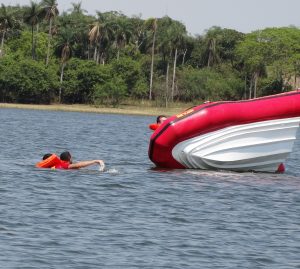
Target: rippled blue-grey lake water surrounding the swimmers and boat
[131,215]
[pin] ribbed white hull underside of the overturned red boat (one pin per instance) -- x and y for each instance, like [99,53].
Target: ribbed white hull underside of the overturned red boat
[259,146]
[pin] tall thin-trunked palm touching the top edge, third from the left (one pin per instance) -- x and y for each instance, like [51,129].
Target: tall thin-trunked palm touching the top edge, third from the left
[51,11]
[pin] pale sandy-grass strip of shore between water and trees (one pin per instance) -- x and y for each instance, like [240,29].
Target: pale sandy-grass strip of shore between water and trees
[123,109]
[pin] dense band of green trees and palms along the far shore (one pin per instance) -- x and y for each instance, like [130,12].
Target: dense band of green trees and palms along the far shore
[73,57]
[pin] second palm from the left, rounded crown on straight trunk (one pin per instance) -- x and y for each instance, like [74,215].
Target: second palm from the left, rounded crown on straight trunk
[32,16]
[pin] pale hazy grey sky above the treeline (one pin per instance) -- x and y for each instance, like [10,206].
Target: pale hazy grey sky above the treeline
[199,15]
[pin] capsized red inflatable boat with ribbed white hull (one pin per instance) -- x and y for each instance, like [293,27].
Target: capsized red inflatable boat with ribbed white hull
[248,135]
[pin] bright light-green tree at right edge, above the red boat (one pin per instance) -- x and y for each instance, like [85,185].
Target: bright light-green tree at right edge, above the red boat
[271,54]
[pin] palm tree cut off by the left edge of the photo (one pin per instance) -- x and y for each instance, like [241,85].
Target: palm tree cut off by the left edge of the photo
[7,21]
